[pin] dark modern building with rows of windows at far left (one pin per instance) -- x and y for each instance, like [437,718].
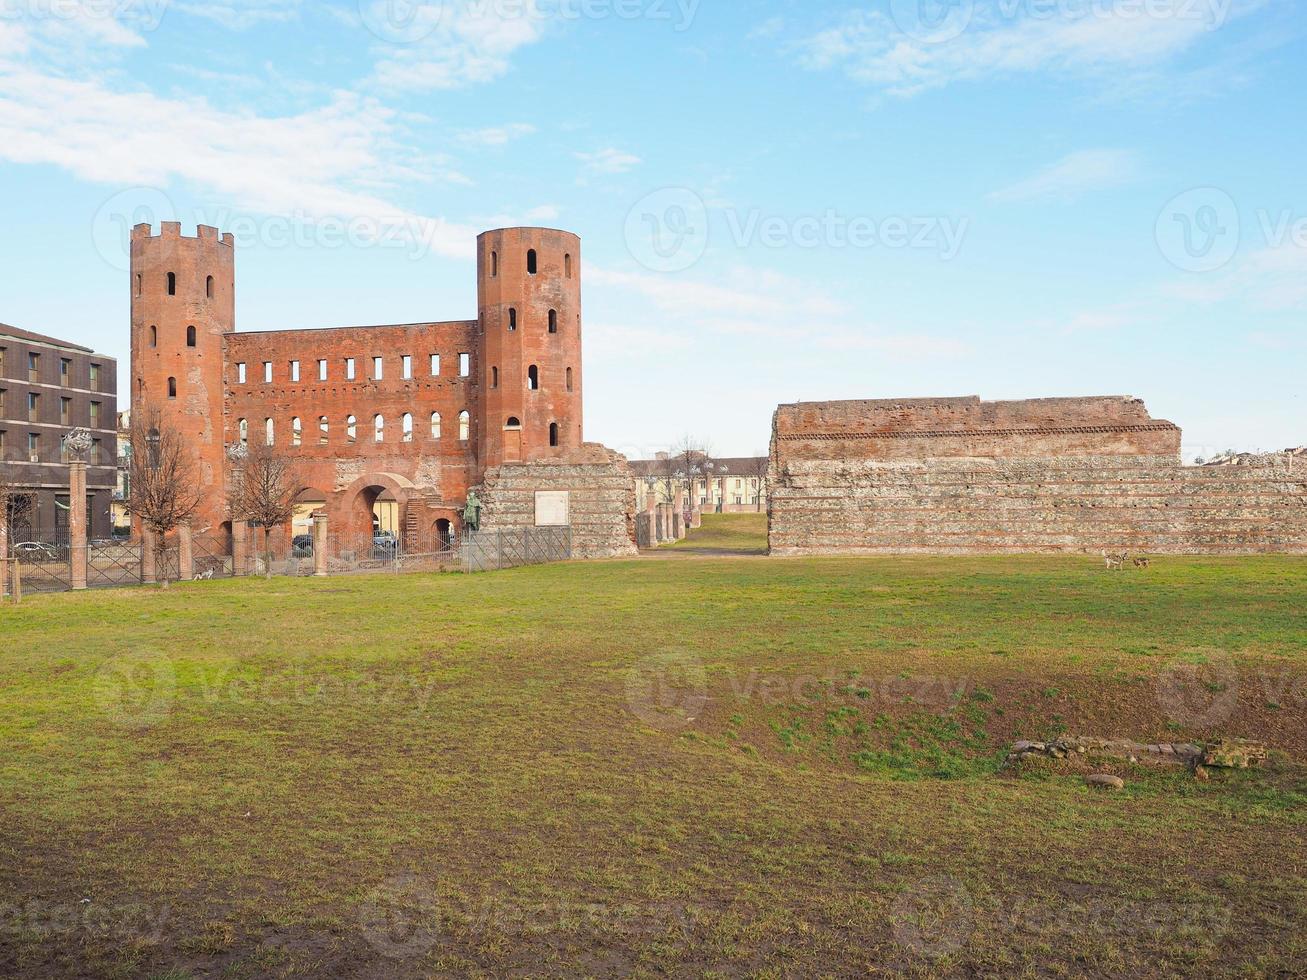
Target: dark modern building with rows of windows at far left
[49,387]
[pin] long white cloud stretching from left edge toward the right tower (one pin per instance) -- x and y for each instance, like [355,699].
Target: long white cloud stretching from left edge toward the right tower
[327,163]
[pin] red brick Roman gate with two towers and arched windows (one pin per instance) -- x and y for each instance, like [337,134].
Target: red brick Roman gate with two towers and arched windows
[416,414]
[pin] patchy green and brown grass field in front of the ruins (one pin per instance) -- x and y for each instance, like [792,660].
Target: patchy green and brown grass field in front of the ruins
[721,768]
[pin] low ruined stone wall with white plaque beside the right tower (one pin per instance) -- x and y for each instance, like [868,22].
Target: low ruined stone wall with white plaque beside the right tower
[602,498]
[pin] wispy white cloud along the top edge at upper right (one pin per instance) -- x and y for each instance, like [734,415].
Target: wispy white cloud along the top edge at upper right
[1001,40]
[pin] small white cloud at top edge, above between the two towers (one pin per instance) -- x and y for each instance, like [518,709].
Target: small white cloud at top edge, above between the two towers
[450,45]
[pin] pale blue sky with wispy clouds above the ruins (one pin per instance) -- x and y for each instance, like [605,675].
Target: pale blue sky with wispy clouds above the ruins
[778,201]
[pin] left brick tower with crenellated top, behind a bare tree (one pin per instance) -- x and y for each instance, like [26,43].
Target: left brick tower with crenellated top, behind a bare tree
[184,301]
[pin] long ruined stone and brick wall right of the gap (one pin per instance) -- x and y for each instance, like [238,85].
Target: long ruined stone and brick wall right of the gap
[998,491]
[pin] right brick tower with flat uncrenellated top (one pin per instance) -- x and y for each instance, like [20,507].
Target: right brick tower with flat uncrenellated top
[529,306]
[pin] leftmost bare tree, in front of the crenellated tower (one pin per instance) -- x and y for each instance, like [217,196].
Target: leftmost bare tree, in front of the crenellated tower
[164,478]
